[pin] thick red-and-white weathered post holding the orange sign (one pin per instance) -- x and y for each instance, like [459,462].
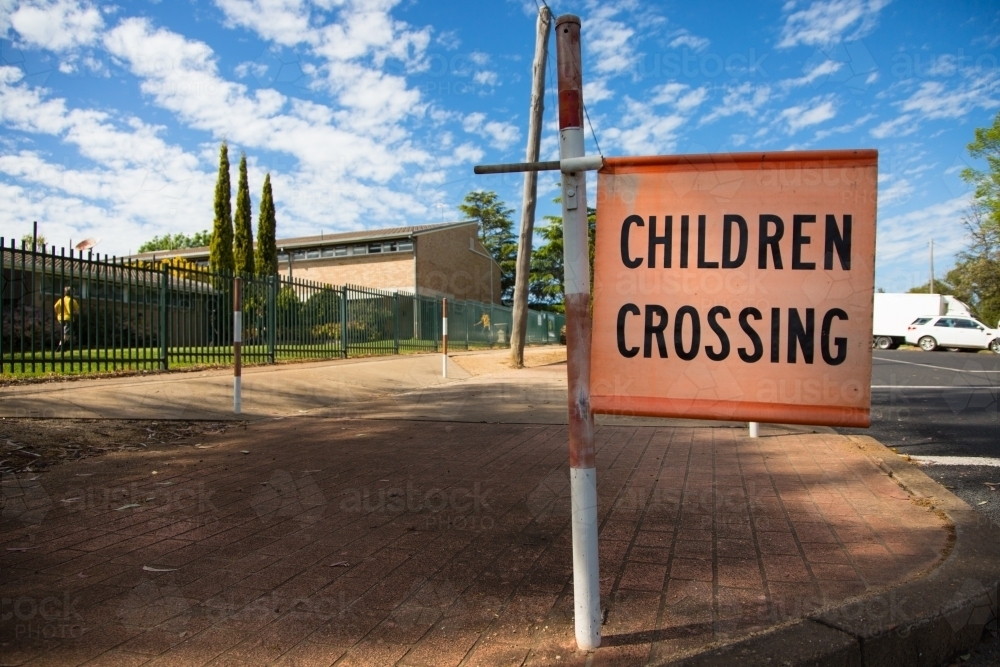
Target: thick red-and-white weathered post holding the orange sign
[576,261]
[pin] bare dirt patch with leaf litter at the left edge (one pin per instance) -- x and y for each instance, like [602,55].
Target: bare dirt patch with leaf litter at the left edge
[34,445]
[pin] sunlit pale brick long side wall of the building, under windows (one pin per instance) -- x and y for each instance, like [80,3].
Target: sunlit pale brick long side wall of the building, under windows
[393,271]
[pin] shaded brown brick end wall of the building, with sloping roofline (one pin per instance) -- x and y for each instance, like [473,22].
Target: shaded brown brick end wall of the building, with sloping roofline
[446,266]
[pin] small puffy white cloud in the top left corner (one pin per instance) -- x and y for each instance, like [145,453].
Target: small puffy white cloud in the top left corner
[57,25]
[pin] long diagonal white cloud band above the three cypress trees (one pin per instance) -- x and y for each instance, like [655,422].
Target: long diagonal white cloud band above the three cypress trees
[181,75]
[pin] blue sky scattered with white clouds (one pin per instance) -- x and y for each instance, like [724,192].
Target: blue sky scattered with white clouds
[372,113]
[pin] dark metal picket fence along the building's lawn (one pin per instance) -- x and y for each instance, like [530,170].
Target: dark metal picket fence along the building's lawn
[72,313]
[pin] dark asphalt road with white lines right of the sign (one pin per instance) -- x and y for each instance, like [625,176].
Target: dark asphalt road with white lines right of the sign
[942,404]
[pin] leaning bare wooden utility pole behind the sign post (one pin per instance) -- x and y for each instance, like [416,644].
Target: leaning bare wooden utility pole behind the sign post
[522,279]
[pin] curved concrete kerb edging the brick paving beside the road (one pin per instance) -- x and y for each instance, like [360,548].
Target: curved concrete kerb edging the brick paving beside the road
[921,623]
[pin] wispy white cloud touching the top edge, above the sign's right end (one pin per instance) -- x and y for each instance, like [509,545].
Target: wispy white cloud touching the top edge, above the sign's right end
[827,22]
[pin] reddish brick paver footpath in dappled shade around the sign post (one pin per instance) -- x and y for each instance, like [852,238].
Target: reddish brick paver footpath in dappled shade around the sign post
[309,541]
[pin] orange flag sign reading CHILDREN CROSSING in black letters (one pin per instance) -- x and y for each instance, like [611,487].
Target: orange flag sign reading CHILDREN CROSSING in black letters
[736,287]
